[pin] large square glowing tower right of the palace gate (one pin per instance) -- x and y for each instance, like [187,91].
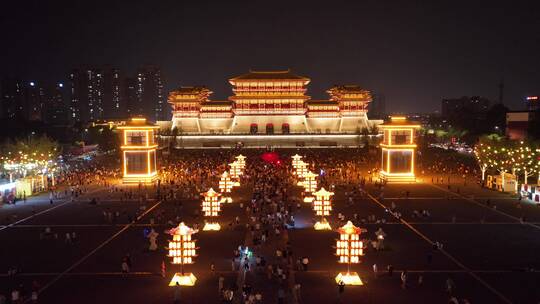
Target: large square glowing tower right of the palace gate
[398,150]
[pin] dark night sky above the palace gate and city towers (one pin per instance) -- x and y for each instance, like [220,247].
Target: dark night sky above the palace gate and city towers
[415,53]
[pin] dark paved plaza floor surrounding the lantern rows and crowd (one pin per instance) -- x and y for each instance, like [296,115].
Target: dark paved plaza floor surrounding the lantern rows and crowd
[489,247]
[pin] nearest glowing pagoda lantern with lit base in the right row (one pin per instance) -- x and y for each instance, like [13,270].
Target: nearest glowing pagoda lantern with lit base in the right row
[349,248]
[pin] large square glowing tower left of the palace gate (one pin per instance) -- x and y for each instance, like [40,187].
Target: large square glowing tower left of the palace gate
[138,151]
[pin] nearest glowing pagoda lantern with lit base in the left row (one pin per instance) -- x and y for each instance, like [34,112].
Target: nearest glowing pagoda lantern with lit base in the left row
[182,250]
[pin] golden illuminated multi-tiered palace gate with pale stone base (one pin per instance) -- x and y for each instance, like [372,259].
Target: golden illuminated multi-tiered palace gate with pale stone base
[270,102]
